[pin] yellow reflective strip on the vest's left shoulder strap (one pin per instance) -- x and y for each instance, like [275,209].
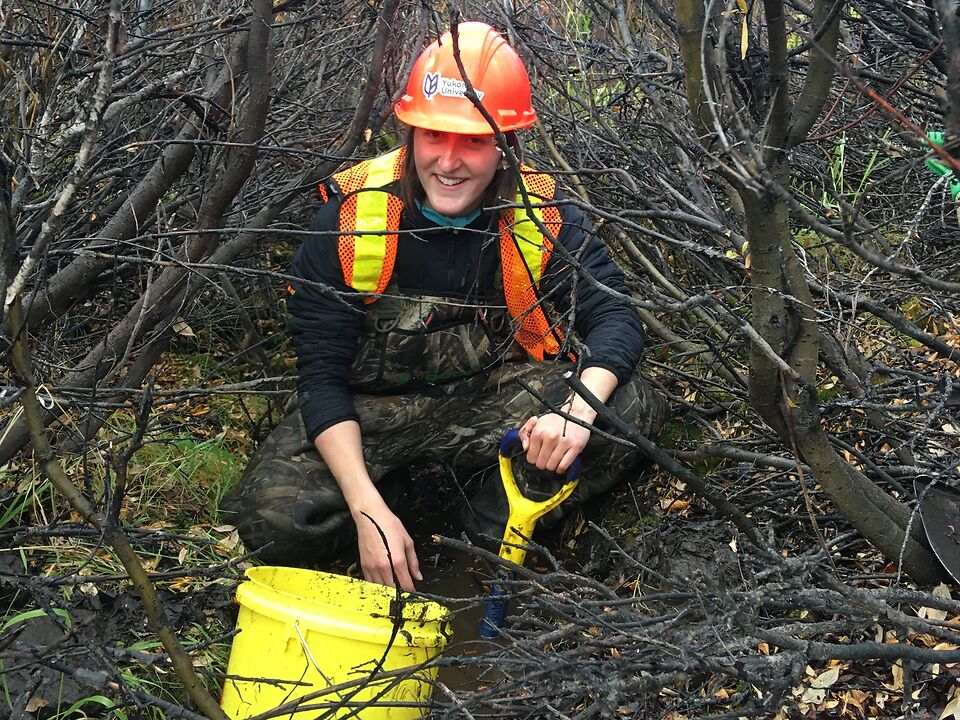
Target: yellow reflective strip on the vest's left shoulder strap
[370,249]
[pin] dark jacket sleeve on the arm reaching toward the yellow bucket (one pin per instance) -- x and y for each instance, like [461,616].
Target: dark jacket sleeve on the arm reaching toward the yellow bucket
[325,322]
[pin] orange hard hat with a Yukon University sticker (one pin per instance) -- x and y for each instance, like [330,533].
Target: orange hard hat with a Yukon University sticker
[436,94]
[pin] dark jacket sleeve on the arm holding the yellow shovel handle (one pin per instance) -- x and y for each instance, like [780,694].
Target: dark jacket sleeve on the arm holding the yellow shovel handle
[609,327]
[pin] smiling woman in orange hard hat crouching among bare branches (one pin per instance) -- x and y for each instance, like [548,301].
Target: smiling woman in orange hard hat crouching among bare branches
[427,297]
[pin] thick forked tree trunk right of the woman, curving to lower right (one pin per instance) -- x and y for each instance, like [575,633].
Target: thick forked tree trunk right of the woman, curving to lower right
[783,368]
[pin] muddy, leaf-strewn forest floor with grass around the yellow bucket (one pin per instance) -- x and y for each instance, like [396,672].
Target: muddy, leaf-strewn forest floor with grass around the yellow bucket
[74,640]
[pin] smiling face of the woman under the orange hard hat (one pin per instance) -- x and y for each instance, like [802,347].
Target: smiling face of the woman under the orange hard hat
[454,170]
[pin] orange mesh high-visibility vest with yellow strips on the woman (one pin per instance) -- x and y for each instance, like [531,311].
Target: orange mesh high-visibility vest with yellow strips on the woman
[370,221]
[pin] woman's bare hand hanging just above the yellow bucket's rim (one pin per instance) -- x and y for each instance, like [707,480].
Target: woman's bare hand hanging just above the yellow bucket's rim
[374,560]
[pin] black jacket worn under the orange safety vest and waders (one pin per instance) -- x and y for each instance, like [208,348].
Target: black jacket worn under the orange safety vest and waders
[327,316]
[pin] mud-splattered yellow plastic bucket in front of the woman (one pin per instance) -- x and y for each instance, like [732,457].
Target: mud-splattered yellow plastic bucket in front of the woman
[302,631]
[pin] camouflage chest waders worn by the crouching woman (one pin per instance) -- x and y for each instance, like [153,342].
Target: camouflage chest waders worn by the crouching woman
[438,411]
